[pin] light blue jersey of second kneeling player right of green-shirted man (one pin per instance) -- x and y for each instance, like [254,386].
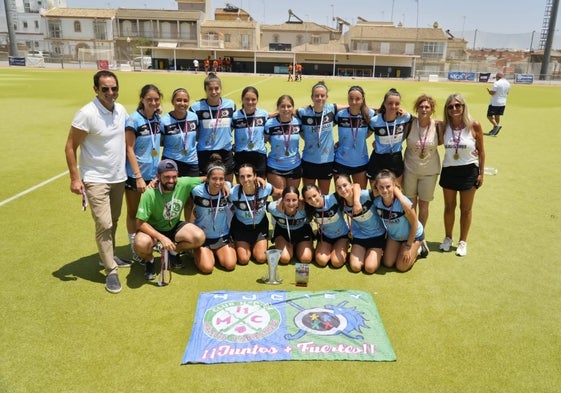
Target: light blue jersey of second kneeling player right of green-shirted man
[250,209]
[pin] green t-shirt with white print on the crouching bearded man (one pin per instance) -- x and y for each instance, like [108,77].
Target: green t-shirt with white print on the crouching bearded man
[163,218]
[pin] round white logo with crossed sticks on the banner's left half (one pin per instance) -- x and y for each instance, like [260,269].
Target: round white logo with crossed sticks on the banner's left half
[241,321]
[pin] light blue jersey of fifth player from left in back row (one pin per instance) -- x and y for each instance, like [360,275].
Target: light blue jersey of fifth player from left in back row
[285,144]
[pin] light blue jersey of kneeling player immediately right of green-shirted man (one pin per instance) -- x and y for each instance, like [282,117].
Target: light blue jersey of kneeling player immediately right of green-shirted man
[212,212]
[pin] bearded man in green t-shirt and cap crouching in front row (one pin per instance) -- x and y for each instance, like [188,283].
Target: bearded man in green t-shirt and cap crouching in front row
[158,218]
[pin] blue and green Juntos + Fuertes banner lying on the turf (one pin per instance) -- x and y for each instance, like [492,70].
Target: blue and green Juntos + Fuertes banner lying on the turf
[287,325]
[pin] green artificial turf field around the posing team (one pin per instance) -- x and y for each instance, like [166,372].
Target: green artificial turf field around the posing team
[488,322]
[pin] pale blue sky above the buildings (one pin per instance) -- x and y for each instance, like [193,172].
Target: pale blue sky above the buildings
[499,16]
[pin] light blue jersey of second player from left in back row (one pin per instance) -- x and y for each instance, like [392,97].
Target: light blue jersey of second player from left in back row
[180,138]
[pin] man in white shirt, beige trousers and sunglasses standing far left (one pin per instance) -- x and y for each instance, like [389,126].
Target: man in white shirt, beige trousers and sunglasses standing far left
[98,129]
